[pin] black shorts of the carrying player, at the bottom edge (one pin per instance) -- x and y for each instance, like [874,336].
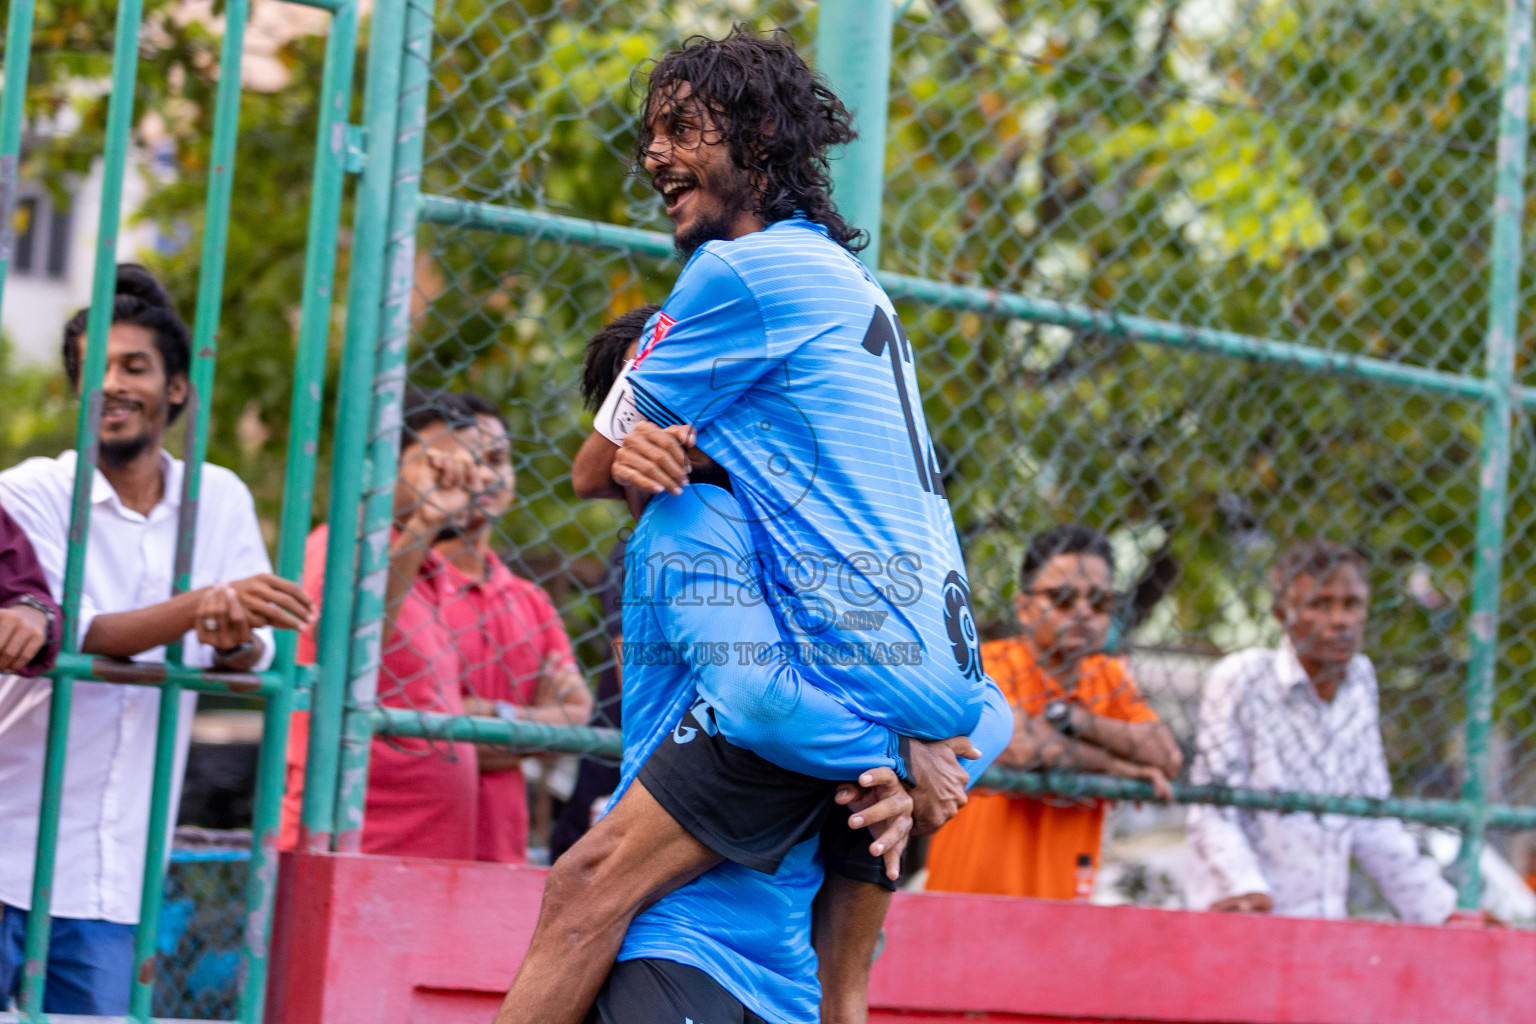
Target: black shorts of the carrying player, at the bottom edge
[666,993]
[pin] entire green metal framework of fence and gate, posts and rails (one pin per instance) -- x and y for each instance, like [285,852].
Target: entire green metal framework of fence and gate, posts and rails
[855,47]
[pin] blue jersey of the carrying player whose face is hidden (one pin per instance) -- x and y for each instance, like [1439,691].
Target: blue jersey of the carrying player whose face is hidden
[695,627]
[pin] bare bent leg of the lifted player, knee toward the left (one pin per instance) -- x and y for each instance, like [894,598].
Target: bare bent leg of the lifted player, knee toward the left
[629,860]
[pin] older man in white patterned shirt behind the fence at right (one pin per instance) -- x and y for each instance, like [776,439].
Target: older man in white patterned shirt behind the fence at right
[1305,718]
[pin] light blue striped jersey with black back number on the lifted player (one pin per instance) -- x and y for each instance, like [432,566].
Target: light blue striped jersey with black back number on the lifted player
[787,358]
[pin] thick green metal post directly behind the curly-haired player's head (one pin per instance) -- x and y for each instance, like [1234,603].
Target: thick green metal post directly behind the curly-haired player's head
[853,53]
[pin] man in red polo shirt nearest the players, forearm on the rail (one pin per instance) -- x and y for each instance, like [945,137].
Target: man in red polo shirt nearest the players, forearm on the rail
[517,659]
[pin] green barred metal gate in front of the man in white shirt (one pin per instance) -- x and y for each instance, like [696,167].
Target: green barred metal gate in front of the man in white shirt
[282,685]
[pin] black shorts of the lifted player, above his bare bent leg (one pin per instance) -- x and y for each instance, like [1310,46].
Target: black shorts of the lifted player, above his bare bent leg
[749,810]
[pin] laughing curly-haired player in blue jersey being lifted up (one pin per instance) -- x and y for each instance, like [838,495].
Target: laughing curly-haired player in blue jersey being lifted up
[784,357]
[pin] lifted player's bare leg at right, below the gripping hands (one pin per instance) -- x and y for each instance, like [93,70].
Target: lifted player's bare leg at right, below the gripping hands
[849,917]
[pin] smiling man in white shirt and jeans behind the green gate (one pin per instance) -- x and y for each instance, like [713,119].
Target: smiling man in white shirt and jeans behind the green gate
[128,612]
